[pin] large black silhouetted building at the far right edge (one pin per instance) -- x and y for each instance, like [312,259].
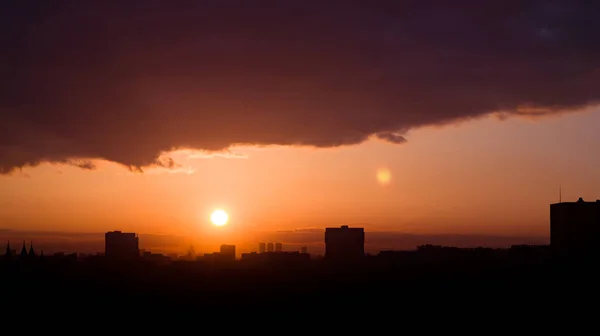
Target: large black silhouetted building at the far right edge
[575,228]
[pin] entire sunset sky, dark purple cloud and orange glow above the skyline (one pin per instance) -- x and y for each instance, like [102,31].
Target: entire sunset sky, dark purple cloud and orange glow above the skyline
[149,115]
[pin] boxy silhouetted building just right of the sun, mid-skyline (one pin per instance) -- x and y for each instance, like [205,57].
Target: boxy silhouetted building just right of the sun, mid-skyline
[344,243]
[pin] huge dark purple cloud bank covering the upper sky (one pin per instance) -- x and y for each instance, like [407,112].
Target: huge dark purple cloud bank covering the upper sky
[127,80]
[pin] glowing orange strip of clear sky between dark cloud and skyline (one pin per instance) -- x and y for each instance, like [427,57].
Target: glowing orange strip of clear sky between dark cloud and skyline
[482,176]
